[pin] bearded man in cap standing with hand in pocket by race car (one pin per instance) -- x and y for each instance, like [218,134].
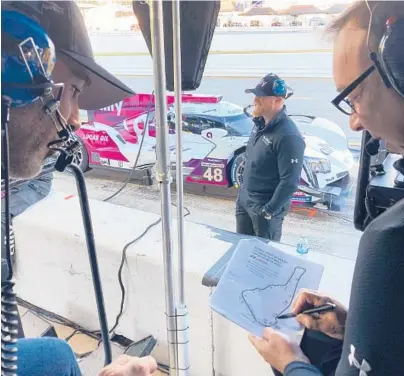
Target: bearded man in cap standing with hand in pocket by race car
[273,163]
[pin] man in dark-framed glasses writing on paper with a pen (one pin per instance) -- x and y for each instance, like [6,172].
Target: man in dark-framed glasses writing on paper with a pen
[369,74]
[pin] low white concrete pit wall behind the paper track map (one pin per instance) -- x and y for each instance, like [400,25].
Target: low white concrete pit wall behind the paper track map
[53,272]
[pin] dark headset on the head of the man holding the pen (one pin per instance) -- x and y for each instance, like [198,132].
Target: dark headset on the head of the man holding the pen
[389,60]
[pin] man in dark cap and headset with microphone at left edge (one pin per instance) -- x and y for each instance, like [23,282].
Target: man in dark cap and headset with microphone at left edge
[87,86]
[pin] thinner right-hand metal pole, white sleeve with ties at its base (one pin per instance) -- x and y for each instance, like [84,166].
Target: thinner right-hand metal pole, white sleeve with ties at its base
[181,309]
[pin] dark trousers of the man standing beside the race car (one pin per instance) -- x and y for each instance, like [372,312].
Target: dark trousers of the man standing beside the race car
[249,223]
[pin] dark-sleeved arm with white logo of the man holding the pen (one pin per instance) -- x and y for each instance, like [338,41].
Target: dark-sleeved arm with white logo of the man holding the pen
[374,333]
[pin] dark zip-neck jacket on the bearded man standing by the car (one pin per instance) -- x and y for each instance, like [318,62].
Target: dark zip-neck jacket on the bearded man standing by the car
[274,160]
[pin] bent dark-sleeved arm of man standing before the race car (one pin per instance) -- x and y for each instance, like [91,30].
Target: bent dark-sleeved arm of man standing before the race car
[290,154]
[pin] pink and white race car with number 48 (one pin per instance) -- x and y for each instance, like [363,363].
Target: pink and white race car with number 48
[215,134]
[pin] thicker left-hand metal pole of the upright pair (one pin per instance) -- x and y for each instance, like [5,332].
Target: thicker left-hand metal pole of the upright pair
[163,176]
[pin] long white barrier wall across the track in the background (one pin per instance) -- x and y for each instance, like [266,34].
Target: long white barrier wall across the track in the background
[289,53]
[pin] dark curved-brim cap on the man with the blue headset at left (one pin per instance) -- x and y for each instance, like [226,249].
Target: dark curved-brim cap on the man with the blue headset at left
[64,24]
